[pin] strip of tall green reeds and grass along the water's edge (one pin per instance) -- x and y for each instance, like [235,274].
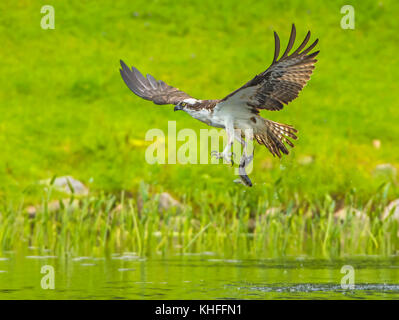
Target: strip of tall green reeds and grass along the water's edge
[97,226]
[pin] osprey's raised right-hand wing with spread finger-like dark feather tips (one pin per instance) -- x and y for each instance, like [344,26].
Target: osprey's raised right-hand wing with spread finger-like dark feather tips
[281,82]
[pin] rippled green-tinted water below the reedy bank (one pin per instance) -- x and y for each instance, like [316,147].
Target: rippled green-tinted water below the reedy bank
[205,276]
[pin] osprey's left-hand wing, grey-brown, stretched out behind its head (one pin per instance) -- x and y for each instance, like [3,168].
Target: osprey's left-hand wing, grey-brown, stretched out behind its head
[149,88]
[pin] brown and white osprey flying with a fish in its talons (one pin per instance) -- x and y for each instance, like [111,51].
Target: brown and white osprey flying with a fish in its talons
[239,111]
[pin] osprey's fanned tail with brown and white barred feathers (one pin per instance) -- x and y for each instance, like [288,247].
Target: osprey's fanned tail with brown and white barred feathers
[273,135]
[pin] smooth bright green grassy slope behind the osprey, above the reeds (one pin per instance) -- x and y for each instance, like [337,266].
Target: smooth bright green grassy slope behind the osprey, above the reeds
[65,109]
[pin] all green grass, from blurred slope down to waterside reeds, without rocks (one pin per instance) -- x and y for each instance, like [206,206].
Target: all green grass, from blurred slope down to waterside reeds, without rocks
[66,111]
